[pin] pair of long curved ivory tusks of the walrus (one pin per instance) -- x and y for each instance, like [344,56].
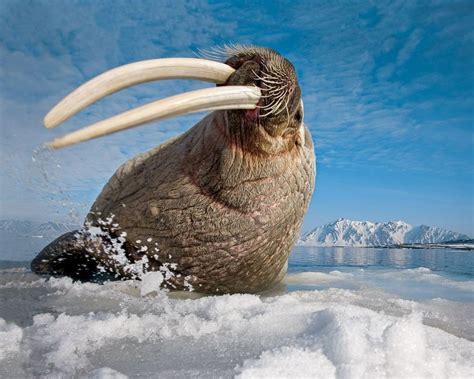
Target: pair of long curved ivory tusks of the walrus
[209,99]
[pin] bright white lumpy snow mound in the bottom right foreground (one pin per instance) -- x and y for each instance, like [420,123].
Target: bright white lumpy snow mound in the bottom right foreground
[350,342]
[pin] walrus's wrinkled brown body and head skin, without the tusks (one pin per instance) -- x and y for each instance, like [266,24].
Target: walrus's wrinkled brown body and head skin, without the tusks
[220,206]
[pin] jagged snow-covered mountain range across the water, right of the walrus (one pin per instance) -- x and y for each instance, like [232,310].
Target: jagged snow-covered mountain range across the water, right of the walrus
[345,232]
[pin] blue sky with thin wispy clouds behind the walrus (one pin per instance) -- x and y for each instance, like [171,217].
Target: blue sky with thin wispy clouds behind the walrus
[388,89]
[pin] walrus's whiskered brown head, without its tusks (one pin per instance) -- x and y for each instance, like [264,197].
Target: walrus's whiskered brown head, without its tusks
[279,112]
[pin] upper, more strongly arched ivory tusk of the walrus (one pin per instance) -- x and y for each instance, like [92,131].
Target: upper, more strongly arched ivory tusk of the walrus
[134,73]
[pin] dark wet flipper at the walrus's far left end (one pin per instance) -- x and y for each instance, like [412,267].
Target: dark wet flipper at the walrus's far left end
[68,255]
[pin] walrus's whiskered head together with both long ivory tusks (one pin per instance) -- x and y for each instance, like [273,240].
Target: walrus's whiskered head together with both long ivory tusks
[257,80]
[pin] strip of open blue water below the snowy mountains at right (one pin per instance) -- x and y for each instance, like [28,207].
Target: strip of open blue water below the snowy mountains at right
[443,260]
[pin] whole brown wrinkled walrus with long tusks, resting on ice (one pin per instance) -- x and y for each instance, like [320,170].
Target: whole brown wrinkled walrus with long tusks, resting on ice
[216,209]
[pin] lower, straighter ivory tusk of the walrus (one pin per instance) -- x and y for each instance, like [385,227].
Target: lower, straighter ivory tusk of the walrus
[208,99]
